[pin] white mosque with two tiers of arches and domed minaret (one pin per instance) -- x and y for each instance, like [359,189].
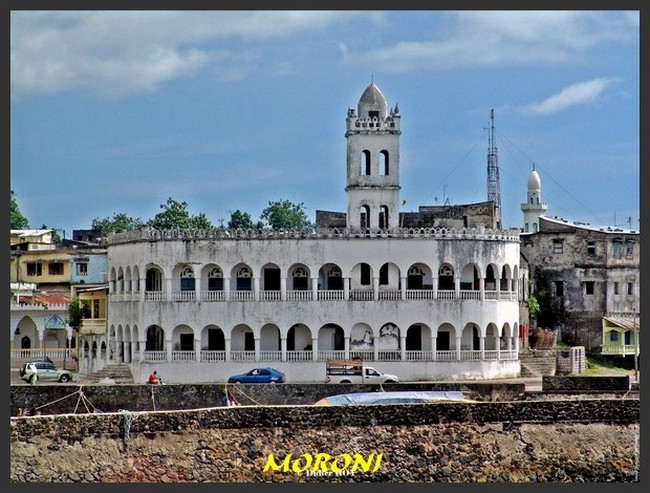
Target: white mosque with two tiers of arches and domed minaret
[430,295]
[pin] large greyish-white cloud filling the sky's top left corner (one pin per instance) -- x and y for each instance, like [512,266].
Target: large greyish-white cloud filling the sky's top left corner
[118,52]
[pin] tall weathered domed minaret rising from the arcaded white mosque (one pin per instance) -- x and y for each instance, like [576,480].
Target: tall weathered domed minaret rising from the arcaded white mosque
[372,185]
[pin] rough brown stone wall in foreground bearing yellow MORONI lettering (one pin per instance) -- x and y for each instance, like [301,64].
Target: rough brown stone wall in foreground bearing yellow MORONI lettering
[517,441]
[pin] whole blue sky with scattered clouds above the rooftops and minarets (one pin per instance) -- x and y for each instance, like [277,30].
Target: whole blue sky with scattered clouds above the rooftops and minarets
[115,111]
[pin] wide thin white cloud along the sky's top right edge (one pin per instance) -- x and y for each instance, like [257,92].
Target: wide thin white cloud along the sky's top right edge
[502,38]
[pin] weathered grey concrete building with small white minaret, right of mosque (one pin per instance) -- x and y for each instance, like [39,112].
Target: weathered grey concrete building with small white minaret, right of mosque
[584,273]
